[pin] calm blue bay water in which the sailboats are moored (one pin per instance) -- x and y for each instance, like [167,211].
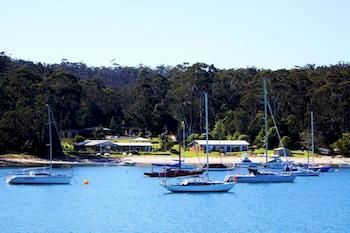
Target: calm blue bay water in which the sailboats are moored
[120,199]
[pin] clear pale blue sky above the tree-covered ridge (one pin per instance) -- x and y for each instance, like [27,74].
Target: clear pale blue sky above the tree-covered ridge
[227,33]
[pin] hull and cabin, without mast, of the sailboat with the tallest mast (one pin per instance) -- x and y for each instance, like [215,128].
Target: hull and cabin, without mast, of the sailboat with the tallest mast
[256,176]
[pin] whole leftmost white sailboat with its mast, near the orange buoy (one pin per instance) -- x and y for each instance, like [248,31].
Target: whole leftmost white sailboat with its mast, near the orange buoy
[43,175]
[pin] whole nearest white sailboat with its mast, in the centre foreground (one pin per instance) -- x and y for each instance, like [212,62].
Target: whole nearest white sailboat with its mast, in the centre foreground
[201,184]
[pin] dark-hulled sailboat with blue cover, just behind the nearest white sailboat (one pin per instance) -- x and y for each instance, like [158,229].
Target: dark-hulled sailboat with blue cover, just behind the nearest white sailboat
[178,169]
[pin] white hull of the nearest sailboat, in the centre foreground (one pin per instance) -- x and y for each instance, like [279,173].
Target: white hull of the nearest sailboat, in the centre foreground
[221,187]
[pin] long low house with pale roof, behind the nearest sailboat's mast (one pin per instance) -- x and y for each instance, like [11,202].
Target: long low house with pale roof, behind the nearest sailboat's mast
[219,145]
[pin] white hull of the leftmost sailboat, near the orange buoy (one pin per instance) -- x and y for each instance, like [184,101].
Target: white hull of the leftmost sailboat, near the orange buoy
[30,179]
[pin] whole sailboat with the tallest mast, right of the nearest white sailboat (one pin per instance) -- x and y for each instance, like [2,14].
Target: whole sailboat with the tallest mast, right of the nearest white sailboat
[256,176]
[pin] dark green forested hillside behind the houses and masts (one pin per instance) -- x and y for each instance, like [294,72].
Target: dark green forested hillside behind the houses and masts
[159,99]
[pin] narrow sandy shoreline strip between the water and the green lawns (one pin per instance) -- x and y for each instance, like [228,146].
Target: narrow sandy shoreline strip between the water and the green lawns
[147,160]
